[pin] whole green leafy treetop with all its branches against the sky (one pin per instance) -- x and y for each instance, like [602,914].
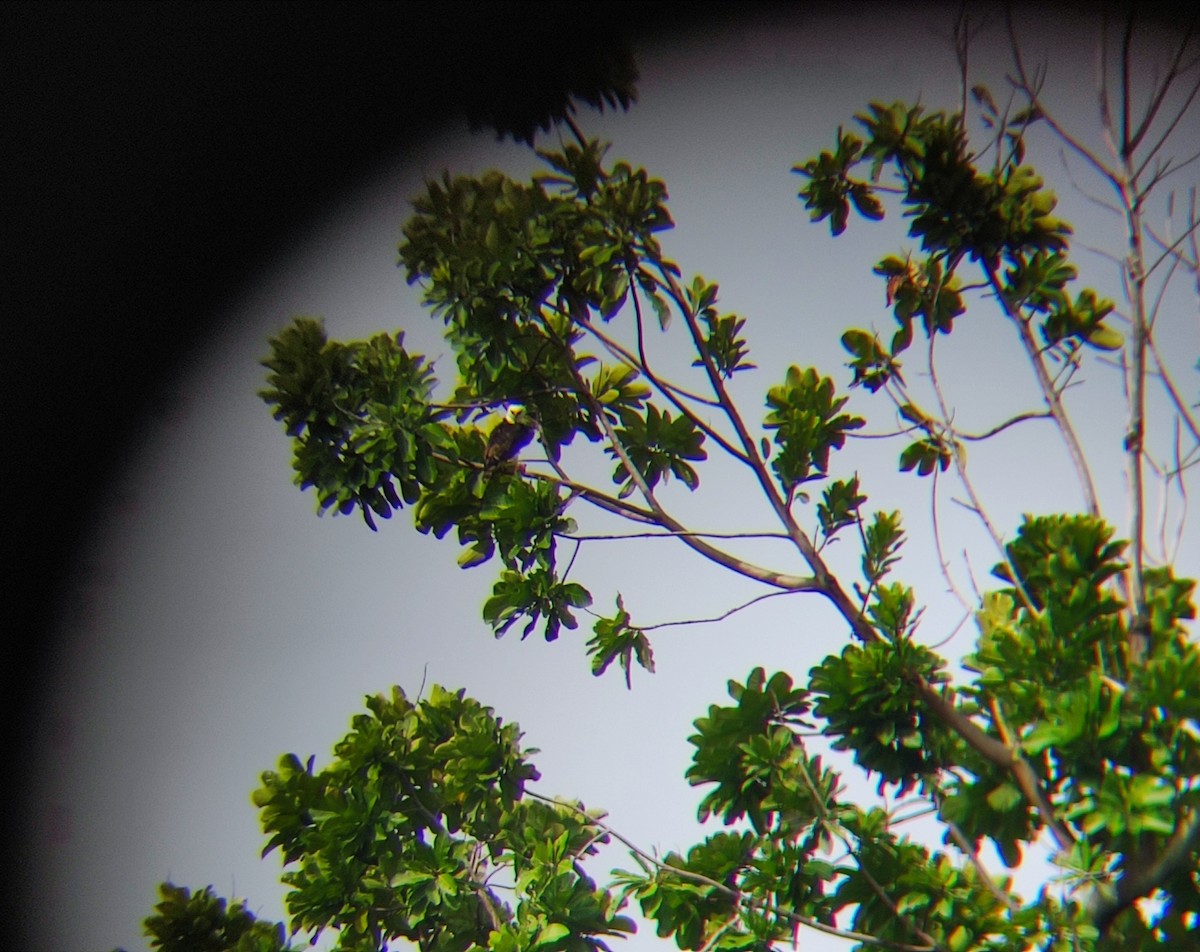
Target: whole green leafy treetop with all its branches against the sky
[1076,721]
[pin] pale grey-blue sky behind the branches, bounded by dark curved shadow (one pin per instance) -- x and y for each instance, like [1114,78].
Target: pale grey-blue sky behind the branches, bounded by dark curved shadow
[218,624]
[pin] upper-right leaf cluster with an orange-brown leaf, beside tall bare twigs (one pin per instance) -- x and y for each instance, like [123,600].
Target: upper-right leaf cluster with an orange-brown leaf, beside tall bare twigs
[1000,218]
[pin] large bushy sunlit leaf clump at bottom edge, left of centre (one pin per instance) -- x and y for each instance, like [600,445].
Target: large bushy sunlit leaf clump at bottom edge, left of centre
[418,824]
